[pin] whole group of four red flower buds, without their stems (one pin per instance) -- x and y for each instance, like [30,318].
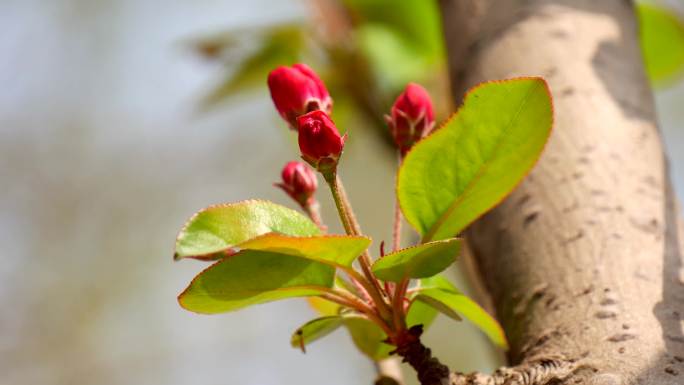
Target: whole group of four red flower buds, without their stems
[303,101]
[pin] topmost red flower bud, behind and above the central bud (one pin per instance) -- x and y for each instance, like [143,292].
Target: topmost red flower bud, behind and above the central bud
[297,90]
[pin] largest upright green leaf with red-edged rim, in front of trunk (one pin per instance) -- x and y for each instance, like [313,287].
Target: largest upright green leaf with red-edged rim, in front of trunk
[476,158]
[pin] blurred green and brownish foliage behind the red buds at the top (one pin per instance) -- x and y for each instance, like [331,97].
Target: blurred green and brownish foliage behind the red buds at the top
[387,44]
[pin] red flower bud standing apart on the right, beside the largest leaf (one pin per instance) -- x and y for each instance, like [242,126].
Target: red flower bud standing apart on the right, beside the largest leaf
[412,117]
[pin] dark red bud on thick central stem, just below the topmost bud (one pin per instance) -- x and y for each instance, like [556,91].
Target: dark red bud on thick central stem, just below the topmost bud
[319,141]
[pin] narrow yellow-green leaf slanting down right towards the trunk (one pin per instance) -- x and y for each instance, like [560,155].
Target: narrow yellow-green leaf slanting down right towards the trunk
[445,298]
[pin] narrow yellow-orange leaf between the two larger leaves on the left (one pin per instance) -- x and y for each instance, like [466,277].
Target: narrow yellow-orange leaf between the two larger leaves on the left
[335,250]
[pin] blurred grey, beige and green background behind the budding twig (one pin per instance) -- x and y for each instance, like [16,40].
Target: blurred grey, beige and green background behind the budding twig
[119,119]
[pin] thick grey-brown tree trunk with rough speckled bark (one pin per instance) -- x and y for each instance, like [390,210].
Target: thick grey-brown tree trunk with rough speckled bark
[583,261]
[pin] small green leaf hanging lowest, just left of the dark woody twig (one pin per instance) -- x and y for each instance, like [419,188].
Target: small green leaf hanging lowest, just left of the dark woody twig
[367,337]
